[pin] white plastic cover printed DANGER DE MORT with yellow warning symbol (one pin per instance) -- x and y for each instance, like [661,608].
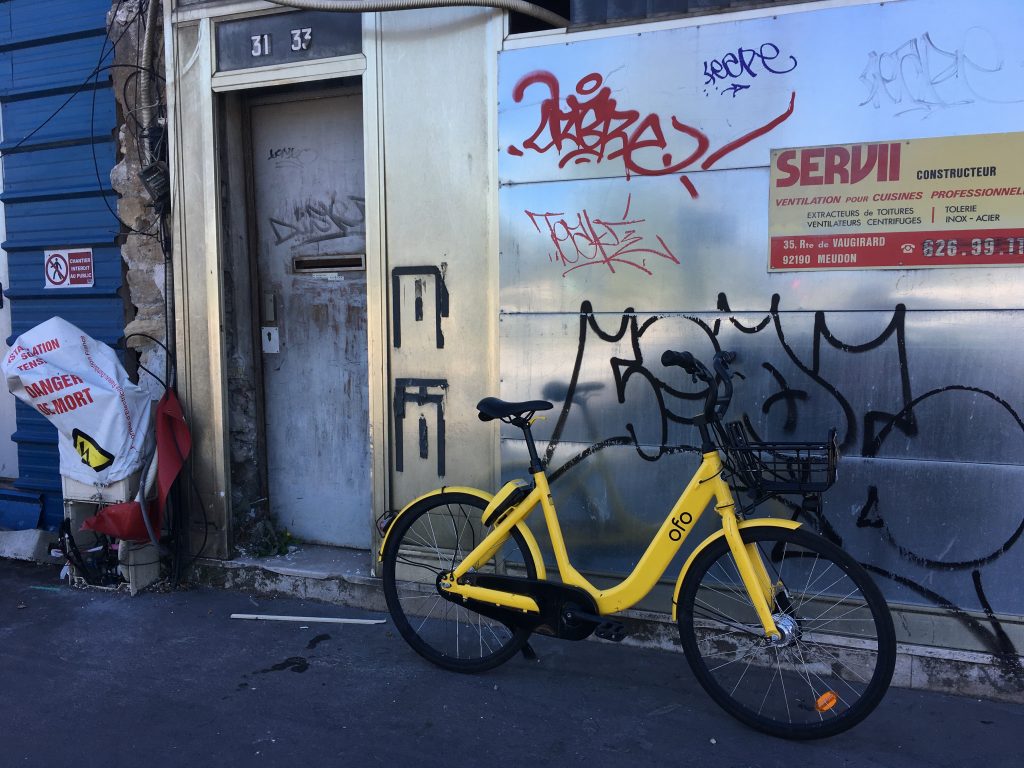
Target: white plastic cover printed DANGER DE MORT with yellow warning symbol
[79,386]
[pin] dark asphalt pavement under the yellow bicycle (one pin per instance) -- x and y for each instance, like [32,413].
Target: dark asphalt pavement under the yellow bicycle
[95,678]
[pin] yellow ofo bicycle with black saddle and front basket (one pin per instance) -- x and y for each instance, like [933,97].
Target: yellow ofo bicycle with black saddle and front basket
[783,629]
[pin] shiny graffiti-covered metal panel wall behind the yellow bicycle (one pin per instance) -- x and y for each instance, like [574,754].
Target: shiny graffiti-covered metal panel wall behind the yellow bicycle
[911,365]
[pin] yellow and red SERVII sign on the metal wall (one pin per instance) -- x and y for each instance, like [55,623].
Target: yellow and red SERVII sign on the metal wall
[924,203]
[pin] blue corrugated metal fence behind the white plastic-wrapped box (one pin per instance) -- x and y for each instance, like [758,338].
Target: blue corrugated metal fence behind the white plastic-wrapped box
[58,195]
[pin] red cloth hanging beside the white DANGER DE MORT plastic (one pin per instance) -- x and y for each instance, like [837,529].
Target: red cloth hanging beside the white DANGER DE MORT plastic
[174,447]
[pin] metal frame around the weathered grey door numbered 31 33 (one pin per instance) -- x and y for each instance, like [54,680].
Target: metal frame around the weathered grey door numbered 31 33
[199,281]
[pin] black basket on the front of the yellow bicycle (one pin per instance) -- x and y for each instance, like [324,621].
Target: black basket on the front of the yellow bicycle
[782,467]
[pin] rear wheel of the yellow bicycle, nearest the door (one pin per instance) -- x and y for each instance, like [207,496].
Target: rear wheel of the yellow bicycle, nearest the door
[431,539]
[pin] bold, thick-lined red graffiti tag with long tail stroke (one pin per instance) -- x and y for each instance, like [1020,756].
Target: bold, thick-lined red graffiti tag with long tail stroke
[593,129]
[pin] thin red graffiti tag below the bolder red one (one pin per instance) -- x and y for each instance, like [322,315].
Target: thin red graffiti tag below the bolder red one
[582,240]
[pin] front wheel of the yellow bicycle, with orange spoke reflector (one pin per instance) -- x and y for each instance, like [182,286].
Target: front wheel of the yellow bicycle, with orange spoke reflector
[835,659]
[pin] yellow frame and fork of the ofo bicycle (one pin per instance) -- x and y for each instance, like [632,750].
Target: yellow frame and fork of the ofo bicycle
[706,486]
